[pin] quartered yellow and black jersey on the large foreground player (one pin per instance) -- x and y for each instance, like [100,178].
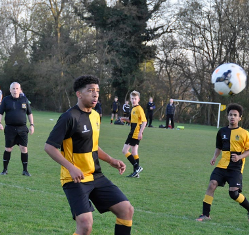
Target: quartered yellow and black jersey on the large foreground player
[77,133]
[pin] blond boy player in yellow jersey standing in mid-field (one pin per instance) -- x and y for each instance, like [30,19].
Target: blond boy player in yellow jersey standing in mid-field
[138,123]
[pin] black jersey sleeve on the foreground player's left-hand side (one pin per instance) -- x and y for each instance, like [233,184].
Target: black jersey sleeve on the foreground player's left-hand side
[61,130]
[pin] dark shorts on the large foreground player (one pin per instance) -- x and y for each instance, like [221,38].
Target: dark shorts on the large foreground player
[102,193]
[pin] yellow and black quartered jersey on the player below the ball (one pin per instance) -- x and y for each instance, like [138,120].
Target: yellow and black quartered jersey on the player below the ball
[232,141]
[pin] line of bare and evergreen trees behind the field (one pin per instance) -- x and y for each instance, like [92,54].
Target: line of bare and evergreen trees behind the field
[161,48]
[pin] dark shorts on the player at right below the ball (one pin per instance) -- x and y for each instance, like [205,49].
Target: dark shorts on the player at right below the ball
[233,178]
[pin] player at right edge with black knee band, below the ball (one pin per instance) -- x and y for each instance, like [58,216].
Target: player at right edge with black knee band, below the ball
[233,142]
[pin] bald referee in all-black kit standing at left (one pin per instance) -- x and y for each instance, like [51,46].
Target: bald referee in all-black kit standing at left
[16,107]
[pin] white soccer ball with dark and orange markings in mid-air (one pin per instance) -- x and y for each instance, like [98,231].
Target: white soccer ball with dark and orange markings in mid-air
[229,79]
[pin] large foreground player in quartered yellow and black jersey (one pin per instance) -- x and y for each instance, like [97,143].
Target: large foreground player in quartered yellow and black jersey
[76,133]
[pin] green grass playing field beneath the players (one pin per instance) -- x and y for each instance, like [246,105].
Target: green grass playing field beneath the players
[167,197]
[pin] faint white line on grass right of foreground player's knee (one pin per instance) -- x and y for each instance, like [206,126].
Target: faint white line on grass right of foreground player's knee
[190,219]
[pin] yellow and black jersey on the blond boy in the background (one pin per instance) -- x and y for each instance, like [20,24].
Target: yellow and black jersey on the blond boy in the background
[137,117]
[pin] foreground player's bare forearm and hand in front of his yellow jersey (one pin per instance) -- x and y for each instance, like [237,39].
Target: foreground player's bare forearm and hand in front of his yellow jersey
[55,154]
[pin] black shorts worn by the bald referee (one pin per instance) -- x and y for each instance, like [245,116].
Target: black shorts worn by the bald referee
[16,135]
